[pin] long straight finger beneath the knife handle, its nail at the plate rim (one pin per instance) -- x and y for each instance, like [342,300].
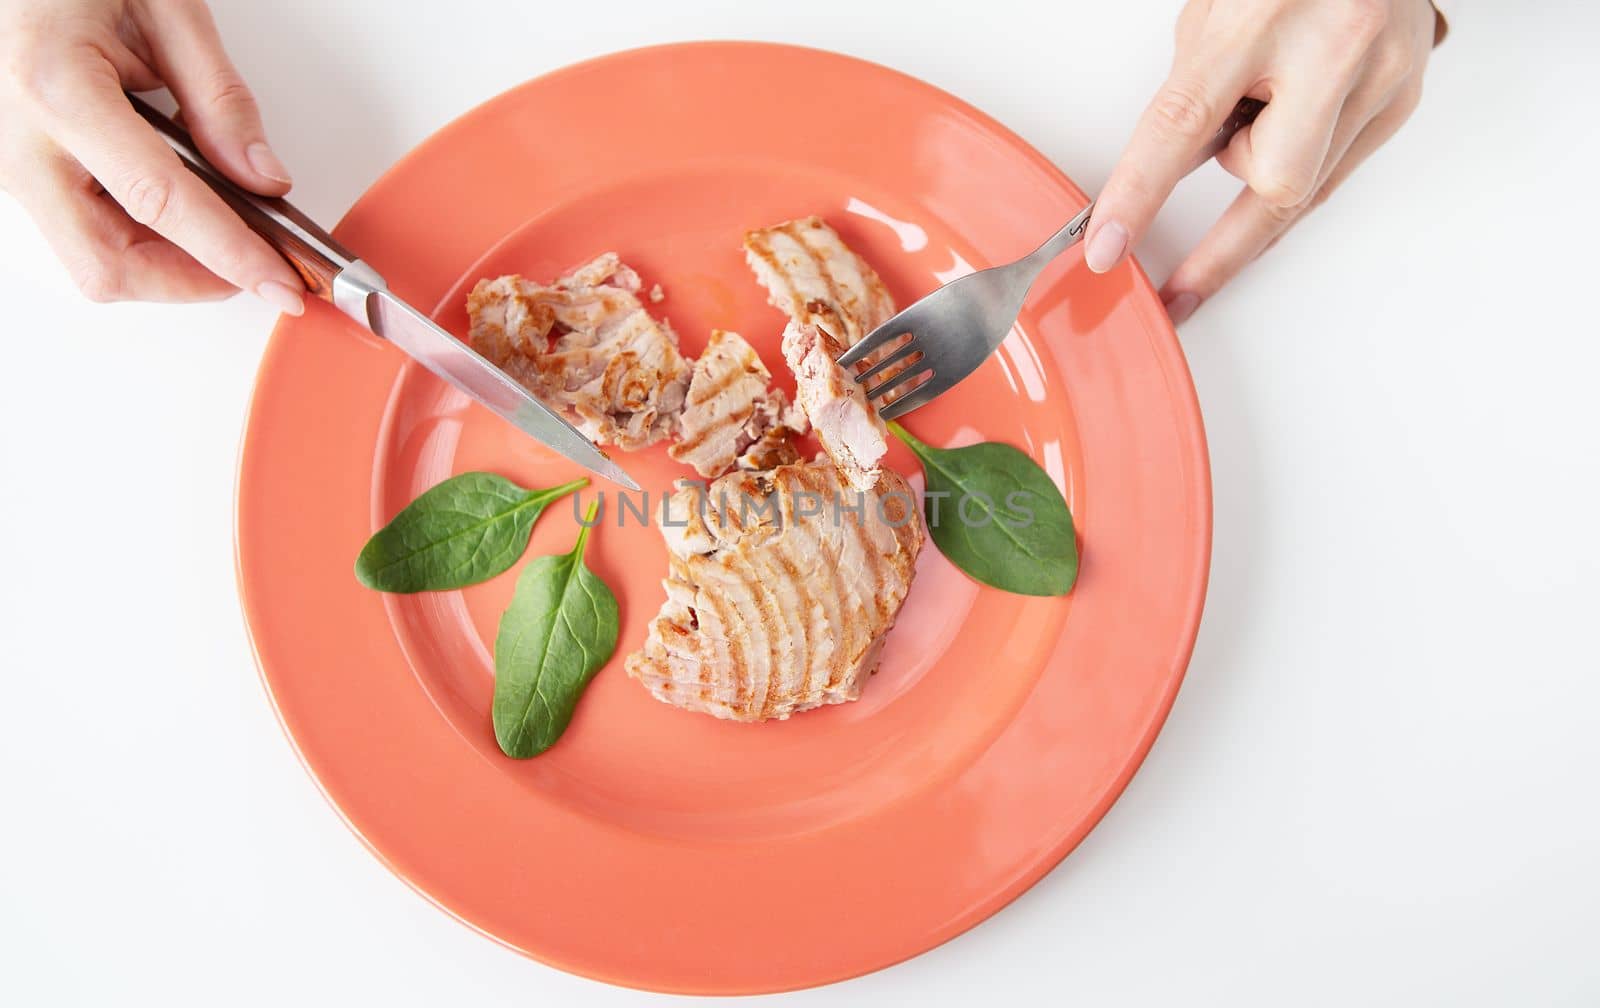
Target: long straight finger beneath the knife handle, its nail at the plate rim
[90,118]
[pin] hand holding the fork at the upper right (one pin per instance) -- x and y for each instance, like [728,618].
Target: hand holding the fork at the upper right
[1338,78]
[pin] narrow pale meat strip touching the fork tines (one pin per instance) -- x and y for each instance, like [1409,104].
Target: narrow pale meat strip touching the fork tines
[847,425]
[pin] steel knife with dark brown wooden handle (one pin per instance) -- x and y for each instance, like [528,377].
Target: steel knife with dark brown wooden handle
[351,286]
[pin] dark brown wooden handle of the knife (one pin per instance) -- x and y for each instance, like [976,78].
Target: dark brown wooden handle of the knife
[316,255]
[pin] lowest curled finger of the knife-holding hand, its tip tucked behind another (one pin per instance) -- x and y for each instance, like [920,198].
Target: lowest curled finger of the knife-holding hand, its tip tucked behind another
[106,254]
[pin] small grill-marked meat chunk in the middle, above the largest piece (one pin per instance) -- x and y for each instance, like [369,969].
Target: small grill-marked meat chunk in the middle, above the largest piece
[730,409]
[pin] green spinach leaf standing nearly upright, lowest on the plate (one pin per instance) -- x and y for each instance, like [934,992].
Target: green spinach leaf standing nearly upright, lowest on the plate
[561,628]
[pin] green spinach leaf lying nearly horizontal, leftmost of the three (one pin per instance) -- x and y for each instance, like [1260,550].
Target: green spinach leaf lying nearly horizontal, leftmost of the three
[462,532]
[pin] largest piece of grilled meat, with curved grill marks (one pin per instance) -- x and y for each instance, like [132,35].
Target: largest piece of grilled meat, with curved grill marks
[780,591]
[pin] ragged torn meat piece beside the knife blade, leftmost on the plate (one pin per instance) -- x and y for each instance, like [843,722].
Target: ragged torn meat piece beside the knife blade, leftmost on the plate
[586,346]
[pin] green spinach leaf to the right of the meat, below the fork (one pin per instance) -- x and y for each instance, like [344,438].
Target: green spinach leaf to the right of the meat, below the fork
[998,516]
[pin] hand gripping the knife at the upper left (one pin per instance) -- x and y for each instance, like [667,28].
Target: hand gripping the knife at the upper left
[118,207]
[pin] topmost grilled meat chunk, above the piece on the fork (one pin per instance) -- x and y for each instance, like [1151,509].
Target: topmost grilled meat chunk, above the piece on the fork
[815,279]
